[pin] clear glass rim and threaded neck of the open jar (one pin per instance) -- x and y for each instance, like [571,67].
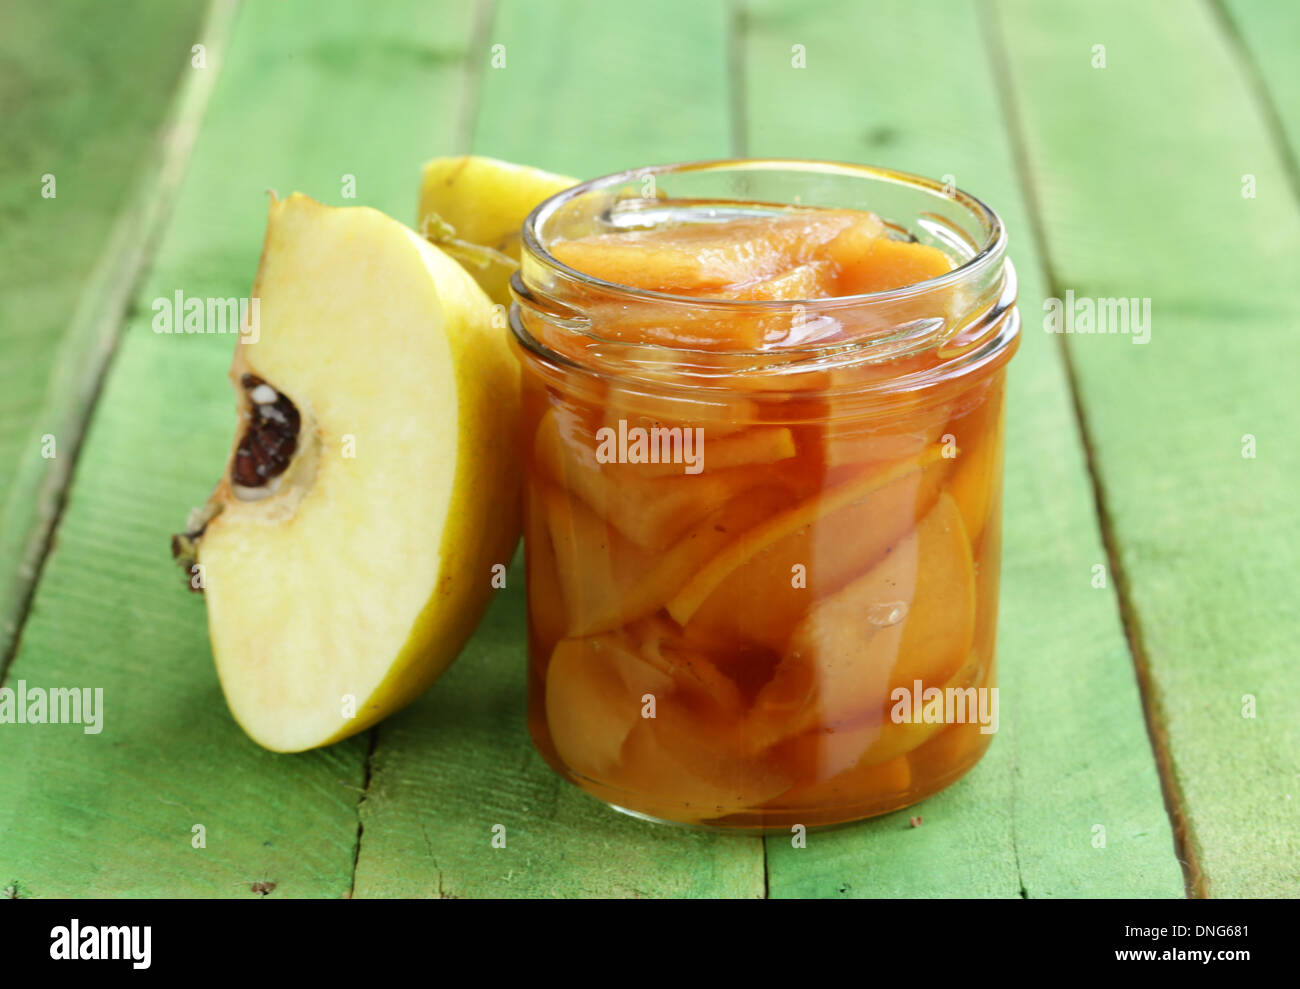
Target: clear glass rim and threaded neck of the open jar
[964,227]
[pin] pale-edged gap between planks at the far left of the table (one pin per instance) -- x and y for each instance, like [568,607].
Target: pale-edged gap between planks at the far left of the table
[97,323]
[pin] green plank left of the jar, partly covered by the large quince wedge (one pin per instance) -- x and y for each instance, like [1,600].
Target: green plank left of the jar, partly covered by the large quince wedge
[307,97]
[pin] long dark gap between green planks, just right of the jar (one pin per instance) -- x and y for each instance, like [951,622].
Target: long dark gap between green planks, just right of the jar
[1185,840]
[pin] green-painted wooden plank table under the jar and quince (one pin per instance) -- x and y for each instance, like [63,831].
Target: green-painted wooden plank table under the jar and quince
[1151,702]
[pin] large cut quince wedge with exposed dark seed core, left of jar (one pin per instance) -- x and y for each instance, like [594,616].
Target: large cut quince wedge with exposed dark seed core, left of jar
[374,484]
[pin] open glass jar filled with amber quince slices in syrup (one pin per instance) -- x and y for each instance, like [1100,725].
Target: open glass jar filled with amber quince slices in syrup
[762,430]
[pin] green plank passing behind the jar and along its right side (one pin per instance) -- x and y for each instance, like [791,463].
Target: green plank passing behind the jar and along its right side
[911,86]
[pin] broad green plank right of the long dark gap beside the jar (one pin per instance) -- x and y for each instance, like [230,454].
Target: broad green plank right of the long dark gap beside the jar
[1142,196]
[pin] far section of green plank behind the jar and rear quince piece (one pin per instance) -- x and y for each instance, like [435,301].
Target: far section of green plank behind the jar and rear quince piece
[625,90]
